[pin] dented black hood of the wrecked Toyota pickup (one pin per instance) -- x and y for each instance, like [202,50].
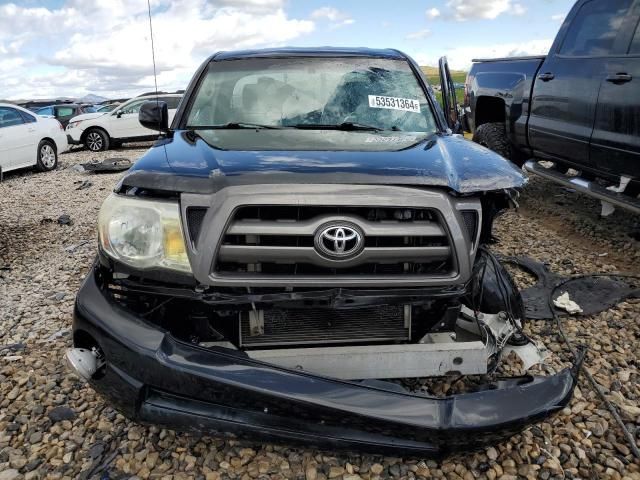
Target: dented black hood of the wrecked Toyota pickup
[206,161]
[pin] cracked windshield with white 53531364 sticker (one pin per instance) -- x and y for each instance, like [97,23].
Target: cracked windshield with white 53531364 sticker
[373,94]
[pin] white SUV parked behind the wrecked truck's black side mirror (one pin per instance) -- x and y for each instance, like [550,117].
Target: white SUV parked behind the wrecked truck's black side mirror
[100,131]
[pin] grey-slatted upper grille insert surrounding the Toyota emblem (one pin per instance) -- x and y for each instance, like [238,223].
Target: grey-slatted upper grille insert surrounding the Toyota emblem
[279,240]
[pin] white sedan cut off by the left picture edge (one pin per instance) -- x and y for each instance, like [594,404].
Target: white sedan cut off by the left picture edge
[28,140]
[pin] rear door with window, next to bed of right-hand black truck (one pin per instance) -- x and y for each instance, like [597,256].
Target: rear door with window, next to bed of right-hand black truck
[566,89]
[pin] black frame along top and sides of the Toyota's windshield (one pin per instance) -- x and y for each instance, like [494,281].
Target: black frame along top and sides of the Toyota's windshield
[182,113]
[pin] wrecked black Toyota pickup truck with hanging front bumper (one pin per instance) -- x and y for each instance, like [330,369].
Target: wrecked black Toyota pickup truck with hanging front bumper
[307,229]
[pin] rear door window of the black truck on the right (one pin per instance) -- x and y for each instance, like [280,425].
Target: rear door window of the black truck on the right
[594,29]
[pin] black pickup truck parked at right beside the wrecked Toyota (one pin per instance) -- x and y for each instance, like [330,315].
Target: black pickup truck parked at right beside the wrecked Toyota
[578,106]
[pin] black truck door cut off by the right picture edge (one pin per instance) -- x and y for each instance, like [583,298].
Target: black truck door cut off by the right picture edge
[615,144]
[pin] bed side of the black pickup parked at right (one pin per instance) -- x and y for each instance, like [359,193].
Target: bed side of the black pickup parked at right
[499,90]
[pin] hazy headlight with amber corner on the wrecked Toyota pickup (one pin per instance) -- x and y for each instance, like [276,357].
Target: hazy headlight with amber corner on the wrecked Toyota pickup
[143,233]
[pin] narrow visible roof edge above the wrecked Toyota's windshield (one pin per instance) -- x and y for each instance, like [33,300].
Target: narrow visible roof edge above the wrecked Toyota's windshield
[310,52]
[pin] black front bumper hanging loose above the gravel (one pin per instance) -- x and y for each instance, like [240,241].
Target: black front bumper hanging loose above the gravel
[153,378]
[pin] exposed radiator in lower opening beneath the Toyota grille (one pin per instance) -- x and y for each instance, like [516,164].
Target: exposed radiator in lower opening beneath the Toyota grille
[324,326]
